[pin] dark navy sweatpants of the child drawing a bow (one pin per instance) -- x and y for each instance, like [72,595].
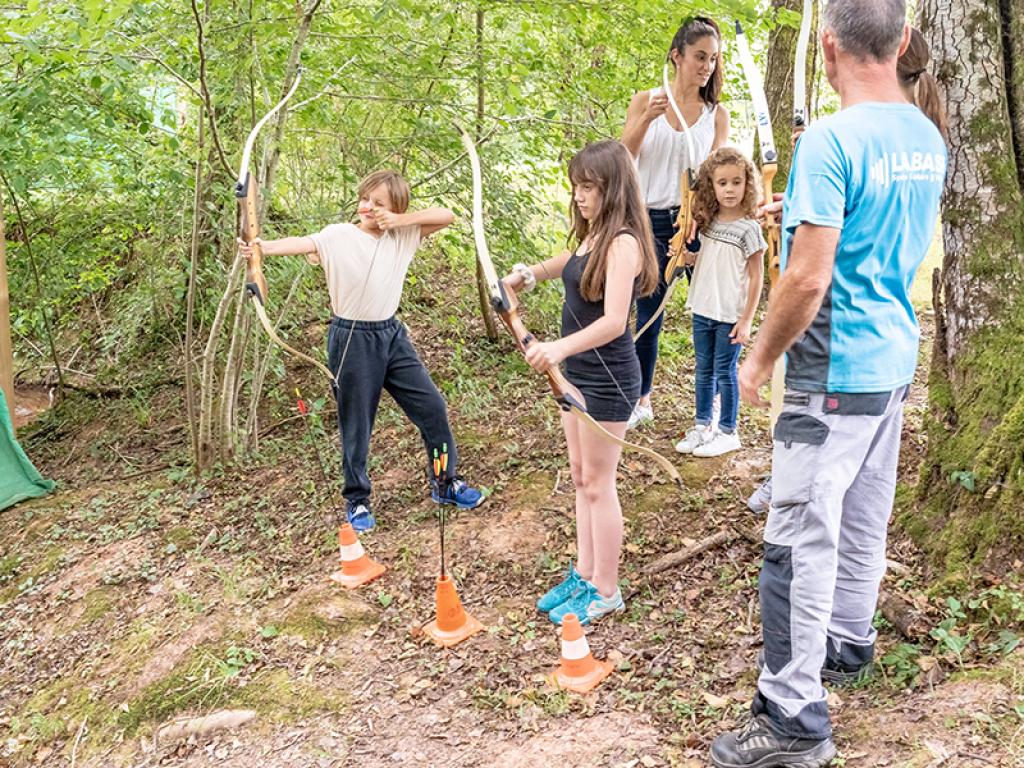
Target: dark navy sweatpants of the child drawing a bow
[381,357]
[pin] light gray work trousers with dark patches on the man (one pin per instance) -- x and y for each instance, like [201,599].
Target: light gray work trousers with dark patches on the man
[834,480]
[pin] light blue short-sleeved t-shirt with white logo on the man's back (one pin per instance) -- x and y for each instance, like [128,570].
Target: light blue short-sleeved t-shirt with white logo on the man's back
[876,173]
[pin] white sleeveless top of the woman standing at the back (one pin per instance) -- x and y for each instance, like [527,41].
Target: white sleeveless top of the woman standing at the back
[664,156]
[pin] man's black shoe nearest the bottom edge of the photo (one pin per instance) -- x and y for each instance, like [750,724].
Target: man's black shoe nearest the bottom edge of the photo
[757,746]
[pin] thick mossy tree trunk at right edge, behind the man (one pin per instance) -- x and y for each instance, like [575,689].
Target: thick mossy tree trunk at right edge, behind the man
[972,487]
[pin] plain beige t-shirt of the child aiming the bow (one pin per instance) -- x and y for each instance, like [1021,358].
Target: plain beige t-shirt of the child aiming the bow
[365,275]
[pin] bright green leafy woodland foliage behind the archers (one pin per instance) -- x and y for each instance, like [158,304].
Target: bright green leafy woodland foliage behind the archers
[100,112]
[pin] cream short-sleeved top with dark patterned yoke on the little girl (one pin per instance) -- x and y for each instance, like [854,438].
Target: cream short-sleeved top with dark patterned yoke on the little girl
[719,286]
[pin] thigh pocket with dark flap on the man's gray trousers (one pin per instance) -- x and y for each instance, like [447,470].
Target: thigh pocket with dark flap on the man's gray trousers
[796,457]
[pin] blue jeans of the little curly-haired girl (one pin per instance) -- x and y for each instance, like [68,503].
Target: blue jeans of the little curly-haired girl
[717,358]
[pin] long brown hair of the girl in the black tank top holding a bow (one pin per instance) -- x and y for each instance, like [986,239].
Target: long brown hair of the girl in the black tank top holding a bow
[608,165]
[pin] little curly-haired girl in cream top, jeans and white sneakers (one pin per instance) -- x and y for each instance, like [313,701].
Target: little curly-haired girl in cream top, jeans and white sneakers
[724,293]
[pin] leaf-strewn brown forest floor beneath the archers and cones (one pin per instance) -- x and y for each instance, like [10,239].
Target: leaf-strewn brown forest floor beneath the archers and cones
[137,595]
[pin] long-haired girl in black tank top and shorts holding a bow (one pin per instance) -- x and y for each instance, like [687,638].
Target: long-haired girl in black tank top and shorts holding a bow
[614,264]
